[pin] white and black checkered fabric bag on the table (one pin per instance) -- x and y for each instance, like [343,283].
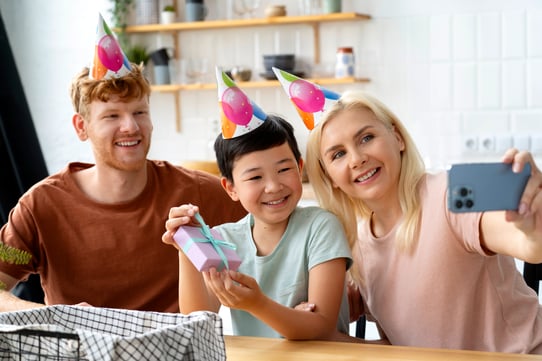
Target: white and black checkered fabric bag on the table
[88,333]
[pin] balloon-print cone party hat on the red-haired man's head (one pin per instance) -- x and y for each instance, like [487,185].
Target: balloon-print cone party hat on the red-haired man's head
[109,60]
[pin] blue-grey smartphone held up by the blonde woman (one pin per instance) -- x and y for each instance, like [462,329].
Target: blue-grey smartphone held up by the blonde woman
[478,187]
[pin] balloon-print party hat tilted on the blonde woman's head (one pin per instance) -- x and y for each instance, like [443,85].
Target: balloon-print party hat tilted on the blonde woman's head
[309,99]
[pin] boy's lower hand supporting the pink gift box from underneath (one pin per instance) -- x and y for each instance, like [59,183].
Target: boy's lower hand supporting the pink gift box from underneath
[234,289]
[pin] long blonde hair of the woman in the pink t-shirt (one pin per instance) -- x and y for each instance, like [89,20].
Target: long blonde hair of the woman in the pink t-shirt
[349,209]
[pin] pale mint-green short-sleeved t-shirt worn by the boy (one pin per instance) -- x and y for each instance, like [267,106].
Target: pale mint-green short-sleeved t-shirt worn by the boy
[313,236]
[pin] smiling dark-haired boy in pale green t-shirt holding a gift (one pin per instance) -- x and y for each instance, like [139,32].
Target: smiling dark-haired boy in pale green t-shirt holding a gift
[290,254]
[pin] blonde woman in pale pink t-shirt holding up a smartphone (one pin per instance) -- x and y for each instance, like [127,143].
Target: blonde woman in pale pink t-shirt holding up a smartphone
[429,278]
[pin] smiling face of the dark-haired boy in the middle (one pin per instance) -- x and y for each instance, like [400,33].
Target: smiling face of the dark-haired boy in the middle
[267,183]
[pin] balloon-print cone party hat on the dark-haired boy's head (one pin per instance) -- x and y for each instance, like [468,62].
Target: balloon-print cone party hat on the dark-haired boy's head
[238,114]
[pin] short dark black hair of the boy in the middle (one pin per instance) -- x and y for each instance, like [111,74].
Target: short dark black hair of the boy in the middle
[274,132]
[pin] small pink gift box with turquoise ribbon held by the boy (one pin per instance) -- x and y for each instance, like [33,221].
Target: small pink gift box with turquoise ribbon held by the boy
[206,248]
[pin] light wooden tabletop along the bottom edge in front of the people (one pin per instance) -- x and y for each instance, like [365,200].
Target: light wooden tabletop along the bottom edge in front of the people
[240,348]
